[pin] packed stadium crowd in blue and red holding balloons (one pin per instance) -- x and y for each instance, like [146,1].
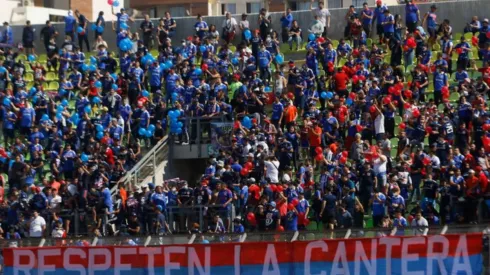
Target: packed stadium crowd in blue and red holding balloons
[391,131]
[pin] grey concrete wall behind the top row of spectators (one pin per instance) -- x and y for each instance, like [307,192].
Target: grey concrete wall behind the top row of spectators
[459,13]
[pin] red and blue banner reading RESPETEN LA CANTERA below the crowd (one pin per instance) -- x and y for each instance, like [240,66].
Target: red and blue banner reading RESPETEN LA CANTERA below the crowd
[432,254]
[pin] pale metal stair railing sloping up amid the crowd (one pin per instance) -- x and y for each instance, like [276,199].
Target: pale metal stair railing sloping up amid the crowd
[146,166]
